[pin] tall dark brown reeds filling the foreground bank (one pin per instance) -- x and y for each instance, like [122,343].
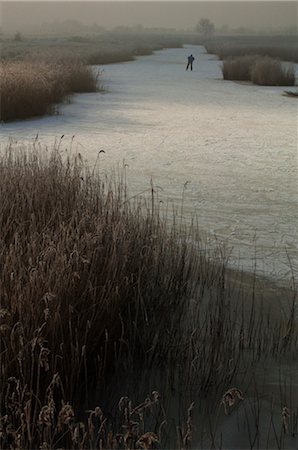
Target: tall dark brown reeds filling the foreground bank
[106,298]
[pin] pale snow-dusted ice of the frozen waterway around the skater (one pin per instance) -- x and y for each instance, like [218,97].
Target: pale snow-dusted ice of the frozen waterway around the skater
[235,145]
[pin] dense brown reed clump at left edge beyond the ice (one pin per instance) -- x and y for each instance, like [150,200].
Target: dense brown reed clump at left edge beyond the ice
[33,88]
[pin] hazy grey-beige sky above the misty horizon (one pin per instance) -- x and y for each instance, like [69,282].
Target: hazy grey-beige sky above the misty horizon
[177,14]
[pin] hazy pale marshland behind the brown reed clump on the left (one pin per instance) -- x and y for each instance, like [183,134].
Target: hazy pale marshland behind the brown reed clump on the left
[99,48]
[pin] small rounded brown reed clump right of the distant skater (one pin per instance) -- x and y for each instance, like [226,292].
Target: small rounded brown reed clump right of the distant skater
[263,71]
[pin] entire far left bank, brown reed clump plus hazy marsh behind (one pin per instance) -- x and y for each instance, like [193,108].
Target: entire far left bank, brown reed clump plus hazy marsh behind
[38,73]
